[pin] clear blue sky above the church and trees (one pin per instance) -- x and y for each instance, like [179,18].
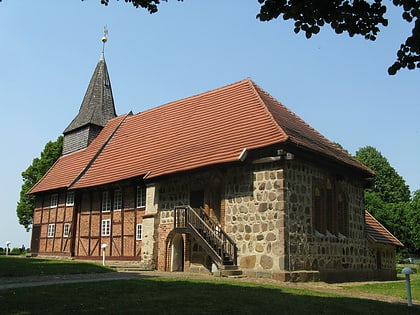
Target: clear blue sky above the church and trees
[338,85]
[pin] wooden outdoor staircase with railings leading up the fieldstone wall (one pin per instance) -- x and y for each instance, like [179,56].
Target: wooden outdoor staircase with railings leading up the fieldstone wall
[205,231]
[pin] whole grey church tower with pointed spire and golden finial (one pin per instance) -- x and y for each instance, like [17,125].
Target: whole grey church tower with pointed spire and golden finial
[96,109]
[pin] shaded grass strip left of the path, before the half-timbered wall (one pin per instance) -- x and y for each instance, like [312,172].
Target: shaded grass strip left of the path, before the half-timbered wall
[22,266]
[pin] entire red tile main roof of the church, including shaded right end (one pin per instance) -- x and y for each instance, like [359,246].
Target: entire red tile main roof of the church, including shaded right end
[206,129]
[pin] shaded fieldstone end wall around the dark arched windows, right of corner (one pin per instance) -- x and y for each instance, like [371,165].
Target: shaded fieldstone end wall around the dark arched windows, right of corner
[310,250]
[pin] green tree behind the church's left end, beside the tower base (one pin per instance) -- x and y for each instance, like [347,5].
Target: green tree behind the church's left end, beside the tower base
[32,175]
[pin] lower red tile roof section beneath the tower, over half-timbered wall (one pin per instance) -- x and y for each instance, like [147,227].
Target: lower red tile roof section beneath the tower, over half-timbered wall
[68,167]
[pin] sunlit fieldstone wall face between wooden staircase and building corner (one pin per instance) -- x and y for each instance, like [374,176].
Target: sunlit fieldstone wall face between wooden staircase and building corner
[255,218]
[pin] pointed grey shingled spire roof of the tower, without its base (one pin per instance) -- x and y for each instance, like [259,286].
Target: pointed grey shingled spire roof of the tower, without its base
[98,103]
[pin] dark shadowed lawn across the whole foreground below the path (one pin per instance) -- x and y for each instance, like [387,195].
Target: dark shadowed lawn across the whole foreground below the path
[171,296]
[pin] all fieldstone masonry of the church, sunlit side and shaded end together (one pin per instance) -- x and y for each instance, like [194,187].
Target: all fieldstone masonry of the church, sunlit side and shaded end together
[268,213]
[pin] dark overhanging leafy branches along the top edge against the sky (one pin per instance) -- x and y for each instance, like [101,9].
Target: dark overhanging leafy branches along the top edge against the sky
[356,17]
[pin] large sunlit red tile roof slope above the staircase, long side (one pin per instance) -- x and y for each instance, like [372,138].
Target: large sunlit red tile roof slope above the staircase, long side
[209,128]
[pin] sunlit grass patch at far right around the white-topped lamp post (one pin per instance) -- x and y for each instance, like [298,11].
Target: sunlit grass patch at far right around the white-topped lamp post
[391,288]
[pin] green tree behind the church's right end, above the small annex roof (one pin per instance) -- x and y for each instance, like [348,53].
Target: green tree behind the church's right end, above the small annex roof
[388,183]
